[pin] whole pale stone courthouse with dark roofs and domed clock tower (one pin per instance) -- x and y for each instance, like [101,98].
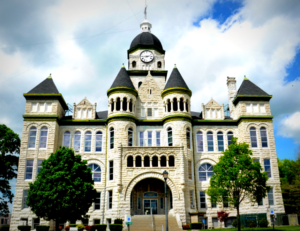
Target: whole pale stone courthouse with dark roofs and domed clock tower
[148,127]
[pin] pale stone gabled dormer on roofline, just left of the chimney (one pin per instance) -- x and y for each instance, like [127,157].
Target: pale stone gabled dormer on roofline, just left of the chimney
[213,111]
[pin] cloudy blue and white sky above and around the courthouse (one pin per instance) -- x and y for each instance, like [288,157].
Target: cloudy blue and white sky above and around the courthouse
[84,43]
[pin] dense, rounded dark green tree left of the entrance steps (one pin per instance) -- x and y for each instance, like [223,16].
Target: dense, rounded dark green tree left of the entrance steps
[64,188]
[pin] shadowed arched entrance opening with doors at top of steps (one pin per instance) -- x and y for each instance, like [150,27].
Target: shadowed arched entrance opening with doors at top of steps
[149,193]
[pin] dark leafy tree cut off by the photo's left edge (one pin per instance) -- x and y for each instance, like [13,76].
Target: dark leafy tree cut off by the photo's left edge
[10,149]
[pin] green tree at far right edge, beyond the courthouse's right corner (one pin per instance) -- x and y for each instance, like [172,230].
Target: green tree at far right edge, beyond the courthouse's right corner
[289,171]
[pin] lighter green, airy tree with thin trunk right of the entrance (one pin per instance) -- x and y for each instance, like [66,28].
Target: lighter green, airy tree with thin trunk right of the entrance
[237,178]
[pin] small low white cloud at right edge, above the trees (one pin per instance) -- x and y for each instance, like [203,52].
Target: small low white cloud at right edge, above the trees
[290,126]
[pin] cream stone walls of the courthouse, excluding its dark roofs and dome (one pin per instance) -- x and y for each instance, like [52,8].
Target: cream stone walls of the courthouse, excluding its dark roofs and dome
[178,153]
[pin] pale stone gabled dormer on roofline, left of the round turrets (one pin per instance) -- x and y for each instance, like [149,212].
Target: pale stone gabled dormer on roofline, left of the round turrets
[84,110]
